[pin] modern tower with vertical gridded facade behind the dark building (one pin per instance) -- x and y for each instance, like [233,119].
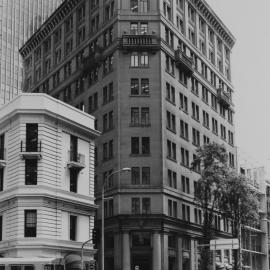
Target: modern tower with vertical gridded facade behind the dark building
[19,19]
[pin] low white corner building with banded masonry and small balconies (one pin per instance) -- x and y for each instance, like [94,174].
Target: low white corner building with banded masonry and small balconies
[46,179]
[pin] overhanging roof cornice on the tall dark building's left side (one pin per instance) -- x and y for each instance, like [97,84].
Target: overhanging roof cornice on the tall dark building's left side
[52,22]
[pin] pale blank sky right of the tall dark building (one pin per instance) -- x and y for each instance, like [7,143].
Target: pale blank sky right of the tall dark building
[249,22]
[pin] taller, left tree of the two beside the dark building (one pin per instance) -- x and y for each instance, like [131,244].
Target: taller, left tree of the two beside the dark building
[213,160]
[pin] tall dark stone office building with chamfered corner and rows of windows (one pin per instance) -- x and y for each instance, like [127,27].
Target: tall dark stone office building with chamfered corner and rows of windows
[157,77]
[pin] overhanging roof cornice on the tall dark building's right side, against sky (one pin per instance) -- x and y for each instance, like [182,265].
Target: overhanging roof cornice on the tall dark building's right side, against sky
[214,21]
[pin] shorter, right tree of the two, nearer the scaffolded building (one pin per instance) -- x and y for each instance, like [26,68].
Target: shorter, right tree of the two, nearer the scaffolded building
[239,203]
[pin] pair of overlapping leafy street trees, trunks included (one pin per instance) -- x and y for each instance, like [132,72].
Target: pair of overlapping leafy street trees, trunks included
[221,189]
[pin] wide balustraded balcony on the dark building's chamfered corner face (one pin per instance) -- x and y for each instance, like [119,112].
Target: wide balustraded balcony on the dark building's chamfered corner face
[140,43]
